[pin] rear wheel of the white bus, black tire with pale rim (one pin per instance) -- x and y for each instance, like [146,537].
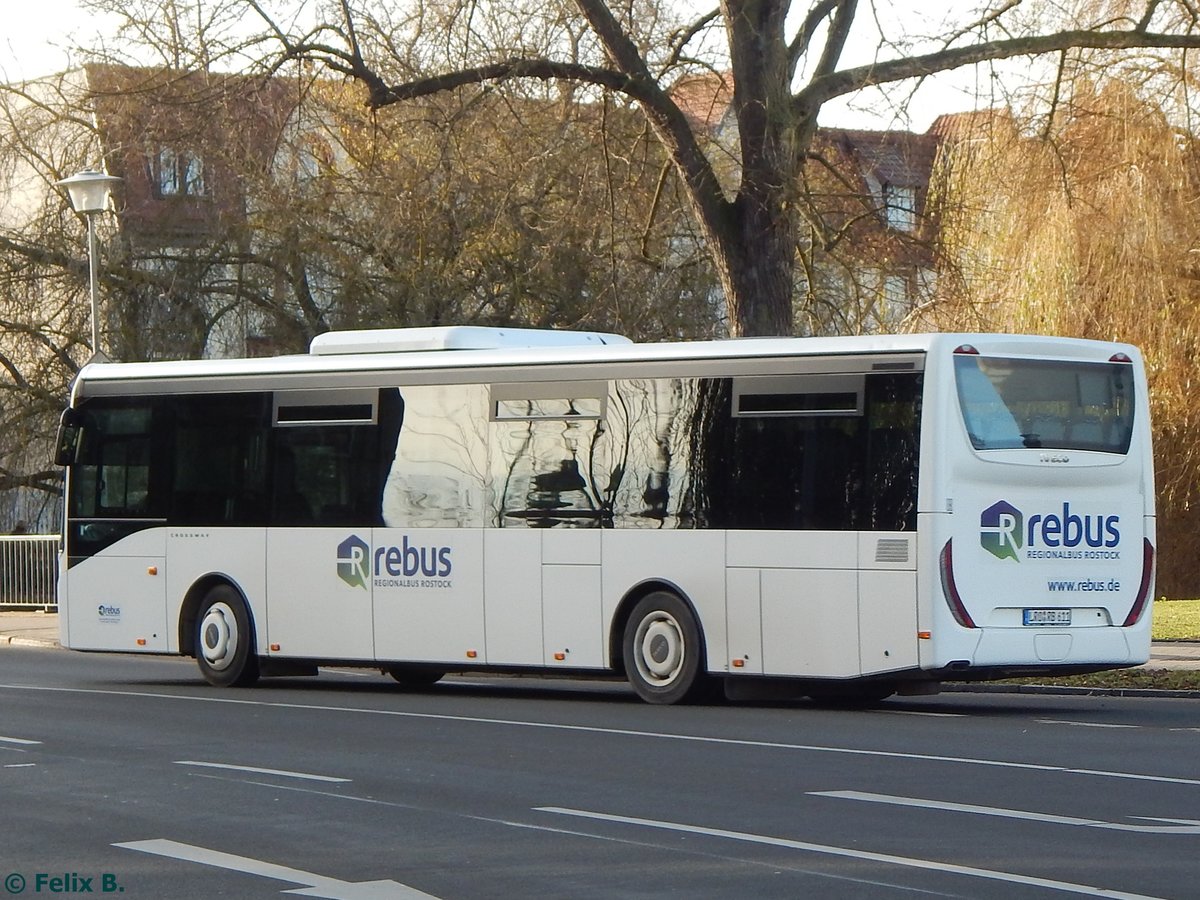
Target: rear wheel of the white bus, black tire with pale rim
[664,651]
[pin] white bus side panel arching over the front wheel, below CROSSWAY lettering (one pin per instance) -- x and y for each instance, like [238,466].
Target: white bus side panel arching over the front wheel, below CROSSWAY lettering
[238,555]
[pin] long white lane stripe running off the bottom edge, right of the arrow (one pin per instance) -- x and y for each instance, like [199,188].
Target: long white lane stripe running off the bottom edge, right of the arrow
[887,859]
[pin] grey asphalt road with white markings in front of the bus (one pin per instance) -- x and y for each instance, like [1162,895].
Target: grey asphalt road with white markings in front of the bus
[130,777]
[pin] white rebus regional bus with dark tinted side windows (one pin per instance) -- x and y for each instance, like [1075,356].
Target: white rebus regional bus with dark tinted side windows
[848,518]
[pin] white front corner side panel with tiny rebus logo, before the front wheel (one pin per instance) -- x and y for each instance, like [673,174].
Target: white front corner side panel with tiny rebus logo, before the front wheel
[118,598]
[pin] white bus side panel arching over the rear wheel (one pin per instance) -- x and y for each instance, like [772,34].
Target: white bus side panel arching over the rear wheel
[693,561]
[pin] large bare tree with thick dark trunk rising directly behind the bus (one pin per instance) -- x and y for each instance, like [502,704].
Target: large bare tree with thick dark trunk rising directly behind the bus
[788,62]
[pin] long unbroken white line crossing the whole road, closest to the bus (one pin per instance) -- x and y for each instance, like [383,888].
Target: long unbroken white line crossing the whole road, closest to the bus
[623,733]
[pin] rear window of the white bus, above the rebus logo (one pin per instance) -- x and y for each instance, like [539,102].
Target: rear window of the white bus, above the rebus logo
[1012,404]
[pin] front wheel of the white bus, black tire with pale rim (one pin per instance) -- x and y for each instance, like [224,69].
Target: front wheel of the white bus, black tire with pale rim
[221,634]
